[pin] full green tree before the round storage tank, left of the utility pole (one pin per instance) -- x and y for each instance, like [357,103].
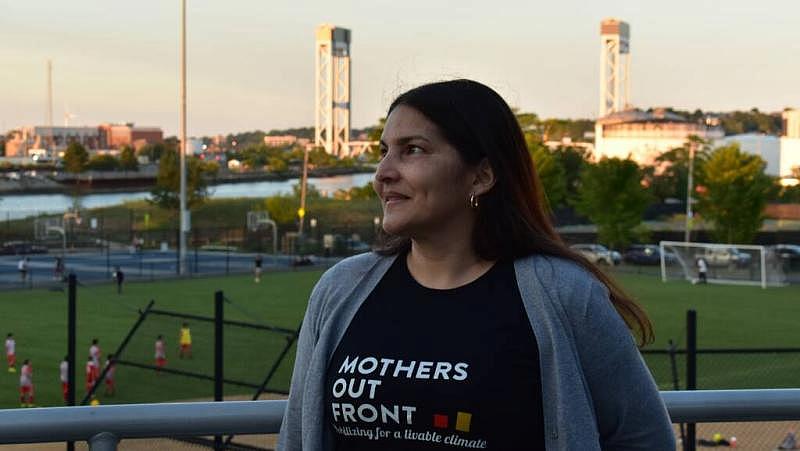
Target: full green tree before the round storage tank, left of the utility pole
[611,196]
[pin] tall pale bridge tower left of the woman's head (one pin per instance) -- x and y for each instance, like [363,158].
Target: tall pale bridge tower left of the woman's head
[332,109]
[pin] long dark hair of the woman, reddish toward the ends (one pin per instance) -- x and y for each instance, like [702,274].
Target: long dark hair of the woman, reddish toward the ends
[513,219]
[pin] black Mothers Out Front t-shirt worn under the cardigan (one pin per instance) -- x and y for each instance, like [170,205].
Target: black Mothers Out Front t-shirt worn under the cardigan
[427,369]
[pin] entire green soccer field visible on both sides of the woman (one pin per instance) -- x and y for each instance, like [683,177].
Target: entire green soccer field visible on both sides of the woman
[728,316]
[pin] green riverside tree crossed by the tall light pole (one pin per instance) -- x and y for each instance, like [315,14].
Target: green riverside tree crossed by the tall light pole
[166,193]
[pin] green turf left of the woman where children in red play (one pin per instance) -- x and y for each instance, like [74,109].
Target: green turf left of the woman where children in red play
[38,320]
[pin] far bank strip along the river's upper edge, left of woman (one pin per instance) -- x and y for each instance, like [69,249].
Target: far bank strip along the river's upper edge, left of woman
[88,184]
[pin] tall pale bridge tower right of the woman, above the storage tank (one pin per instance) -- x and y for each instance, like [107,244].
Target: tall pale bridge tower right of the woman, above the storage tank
[614,66]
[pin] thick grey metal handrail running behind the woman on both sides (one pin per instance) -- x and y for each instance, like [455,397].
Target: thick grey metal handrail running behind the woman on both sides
[104,426]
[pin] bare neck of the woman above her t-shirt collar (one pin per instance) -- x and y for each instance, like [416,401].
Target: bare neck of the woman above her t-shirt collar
[445,265]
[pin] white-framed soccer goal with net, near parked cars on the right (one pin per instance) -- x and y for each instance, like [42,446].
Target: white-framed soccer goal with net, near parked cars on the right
[734,264]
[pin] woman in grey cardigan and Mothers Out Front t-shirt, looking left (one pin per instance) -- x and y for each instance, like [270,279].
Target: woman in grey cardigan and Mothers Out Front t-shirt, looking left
[473,326]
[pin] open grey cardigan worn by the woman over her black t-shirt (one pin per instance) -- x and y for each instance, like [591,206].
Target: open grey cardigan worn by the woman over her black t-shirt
[597,391]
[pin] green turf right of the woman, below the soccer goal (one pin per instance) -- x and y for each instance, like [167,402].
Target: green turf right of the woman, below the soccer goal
[727,317]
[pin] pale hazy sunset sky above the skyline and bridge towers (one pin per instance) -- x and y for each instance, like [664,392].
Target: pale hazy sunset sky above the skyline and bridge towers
[251,62]
